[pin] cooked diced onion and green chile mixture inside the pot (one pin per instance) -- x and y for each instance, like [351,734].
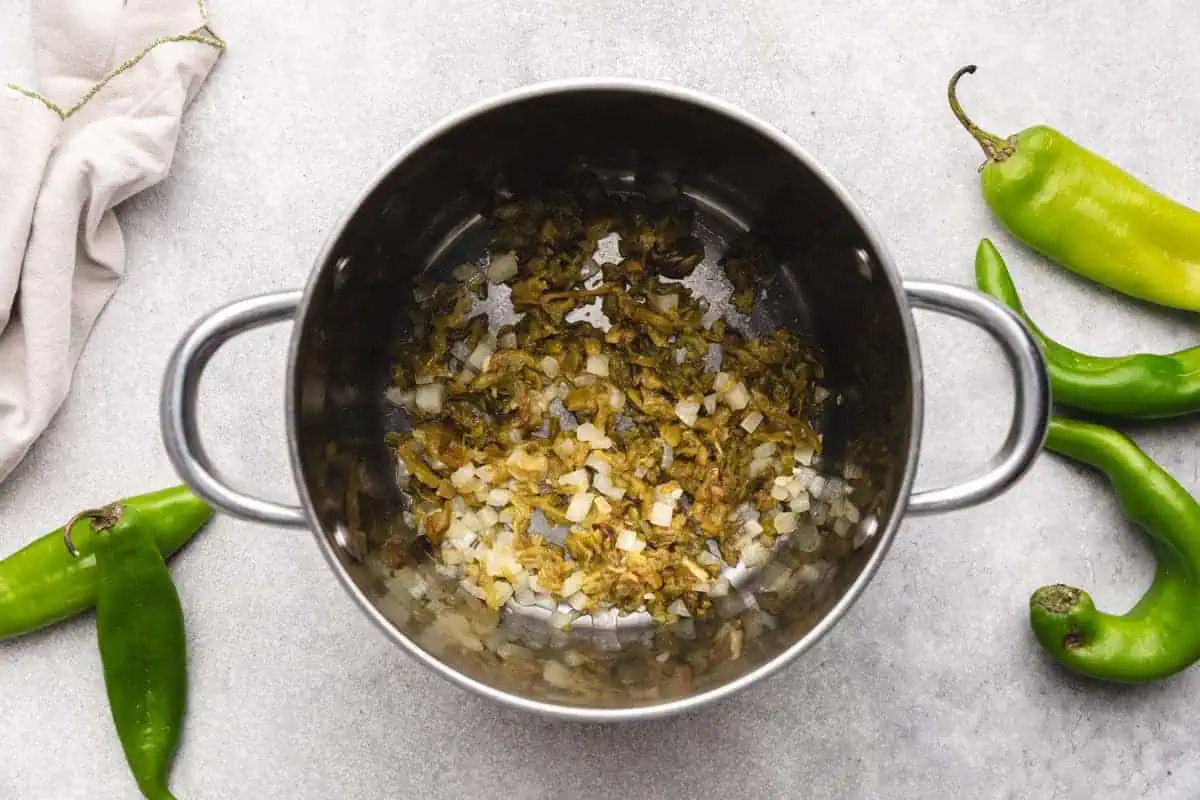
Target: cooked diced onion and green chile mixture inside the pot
[667,444]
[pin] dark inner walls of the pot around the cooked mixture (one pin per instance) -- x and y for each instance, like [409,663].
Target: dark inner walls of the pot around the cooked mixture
[827,282]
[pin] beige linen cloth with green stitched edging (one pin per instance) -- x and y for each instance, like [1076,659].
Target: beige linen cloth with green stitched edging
[115,80]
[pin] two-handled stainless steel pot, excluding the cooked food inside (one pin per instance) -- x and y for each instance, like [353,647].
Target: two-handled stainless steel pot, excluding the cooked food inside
[836,281]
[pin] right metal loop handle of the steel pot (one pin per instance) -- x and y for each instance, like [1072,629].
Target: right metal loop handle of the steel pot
[1031,412]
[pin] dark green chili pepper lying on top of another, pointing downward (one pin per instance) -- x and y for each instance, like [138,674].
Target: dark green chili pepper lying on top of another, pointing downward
[143,648]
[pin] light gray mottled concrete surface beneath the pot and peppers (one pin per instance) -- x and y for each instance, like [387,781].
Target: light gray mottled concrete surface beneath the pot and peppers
[932,688]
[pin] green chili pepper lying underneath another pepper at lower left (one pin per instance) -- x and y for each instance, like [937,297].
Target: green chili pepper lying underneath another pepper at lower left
[44,585]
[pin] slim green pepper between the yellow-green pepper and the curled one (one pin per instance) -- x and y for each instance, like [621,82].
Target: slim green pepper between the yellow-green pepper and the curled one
[1141,386]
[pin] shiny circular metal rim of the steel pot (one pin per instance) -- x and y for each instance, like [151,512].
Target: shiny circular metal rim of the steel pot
[884,539]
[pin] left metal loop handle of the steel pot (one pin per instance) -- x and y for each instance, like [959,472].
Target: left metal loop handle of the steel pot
[181,429]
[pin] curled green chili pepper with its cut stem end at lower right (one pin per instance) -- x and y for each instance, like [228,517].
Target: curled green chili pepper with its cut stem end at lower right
[1161,636]
